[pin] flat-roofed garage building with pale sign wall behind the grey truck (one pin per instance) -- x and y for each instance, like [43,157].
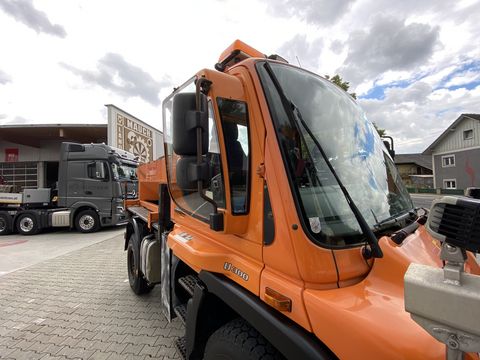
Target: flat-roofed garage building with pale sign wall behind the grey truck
[30,153]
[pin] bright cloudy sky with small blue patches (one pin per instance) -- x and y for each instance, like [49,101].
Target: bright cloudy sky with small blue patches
[414,65]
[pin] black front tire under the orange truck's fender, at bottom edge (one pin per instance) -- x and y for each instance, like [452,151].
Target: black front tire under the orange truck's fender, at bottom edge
[237,340]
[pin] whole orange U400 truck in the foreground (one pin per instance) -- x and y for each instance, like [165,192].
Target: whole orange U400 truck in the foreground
[276,224]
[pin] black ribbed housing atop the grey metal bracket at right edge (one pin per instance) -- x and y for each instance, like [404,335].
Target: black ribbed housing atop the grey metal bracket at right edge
[459,223]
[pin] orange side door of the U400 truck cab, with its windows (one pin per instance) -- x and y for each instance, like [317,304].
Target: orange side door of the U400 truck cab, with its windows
[235,249]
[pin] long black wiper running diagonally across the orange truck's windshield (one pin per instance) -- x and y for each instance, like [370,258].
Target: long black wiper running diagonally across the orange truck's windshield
[294,114]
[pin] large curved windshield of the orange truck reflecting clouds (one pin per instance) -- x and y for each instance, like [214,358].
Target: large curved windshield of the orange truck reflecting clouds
[325,118]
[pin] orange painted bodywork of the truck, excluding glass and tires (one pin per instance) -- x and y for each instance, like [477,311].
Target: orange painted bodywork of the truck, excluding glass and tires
[354,307]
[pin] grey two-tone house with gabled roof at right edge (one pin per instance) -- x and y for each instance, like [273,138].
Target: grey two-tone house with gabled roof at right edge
[456,154]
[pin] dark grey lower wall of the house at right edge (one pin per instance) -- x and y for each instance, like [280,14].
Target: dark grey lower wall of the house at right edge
[466,171]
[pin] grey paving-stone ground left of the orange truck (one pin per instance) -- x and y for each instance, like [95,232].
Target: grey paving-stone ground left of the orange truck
[80,306]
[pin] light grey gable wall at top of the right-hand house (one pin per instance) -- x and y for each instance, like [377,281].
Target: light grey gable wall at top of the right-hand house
[455,141]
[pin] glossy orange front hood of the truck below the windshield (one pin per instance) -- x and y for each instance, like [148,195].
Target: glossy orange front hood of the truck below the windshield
[368,320]
